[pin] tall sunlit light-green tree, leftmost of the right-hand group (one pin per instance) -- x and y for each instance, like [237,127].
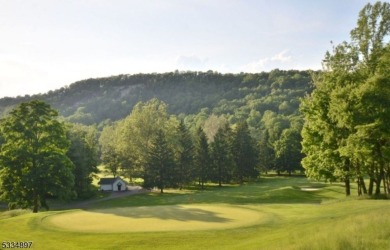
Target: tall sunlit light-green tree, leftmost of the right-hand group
[326,126]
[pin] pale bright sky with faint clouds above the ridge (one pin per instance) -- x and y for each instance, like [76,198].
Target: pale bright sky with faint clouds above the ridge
[48,44]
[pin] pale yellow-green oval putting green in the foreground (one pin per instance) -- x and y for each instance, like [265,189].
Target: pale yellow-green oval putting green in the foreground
[155,218]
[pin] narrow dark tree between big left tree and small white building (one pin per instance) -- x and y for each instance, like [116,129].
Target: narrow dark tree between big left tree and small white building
[83,152]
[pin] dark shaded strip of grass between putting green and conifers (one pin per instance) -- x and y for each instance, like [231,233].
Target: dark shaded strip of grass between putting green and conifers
[273,190]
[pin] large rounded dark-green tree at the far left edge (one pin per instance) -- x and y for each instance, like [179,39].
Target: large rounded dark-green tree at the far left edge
[33,157]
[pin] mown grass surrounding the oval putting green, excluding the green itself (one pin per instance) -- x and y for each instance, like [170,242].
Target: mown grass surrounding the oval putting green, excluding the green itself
[296,219]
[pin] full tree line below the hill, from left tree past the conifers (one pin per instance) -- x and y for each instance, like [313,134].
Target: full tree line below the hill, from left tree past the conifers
[43,156]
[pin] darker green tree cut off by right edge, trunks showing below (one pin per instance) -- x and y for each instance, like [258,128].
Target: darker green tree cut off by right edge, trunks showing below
[369,146]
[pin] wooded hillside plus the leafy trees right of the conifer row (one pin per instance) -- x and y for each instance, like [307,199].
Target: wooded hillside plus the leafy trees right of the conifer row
[268,102]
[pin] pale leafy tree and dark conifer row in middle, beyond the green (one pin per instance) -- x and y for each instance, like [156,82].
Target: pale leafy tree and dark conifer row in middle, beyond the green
[164,152]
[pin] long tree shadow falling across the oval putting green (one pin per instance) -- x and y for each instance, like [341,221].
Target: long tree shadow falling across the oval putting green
[177,212]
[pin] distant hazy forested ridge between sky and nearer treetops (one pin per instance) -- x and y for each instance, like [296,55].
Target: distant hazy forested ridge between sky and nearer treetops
[239,96]
